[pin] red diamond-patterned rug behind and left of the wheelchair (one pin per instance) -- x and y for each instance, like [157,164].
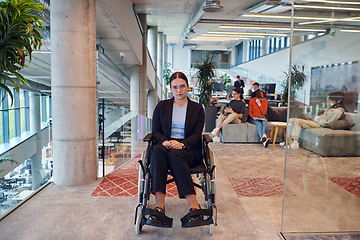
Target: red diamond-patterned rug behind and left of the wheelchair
[124,182]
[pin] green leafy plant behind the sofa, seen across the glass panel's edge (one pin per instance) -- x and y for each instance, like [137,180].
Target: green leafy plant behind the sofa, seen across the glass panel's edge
[298,79]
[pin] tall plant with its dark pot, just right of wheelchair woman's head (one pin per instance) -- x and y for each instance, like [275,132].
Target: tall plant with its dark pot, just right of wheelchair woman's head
[205,74]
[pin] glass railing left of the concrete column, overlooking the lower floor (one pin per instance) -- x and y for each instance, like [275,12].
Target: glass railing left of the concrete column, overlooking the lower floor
[25,152]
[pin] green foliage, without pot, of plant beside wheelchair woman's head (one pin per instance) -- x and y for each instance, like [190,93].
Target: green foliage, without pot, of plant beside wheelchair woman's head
[204,74]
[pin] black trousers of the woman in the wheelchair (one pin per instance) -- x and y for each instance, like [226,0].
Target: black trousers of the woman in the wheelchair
[179,162]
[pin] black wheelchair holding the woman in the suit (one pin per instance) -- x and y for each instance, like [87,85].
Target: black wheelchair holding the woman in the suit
[206,175]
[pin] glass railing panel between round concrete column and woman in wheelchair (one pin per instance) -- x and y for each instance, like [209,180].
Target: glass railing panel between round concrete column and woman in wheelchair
[123,137]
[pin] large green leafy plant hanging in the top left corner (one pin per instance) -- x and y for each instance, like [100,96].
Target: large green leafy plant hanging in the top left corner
[19,36]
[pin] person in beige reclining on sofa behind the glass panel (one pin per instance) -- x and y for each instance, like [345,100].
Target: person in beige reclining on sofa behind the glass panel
[331,114]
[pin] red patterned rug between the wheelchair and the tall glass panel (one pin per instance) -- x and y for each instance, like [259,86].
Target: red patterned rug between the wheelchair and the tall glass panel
[259,187]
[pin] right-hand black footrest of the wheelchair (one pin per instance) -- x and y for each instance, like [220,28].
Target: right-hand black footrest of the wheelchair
[205,218]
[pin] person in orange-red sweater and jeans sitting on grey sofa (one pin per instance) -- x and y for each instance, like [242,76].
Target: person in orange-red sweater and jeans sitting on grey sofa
[257,111]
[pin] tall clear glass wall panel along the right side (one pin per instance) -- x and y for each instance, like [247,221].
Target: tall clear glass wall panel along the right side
[322,170]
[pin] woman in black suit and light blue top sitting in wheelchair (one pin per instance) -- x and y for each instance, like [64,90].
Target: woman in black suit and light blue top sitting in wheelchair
[177,130]
